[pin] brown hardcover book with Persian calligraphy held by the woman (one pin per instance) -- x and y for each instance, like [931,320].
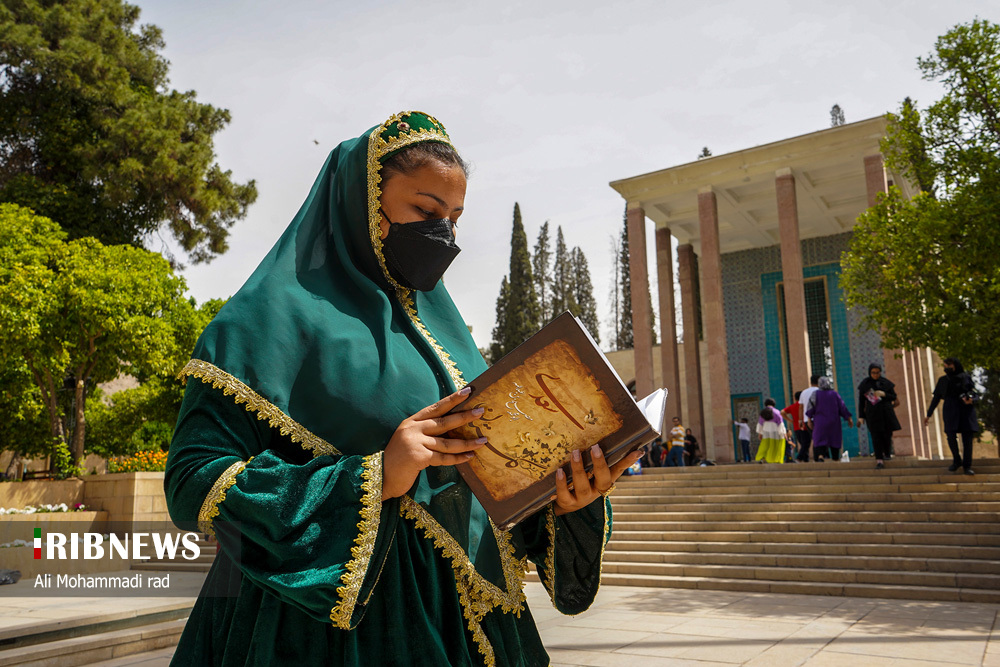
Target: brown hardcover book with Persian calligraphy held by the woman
[553,394]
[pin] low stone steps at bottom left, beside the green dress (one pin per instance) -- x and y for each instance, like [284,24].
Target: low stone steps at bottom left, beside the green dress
[96,638]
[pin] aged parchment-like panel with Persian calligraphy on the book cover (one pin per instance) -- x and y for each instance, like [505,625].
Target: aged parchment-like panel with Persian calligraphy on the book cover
[535,417]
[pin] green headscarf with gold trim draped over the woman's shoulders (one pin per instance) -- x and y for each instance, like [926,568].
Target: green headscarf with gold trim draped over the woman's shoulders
[327,347]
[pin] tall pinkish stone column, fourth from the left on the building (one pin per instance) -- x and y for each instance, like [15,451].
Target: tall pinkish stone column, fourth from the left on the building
[719,442]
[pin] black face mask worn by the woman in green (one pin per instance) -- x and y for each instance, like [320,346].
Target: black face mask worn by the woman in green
[418,253]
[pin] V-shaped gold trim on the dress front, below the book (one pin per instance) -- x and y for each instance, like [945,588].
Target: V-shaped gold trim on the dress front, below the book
[476,595]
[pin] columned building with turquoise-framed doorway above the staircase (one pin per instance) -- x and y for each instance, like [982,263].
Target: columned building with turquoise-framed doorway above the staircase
[759,236]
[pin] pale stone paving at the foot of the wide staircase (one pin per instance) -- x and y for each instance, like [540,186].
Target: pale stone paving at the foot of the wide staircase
[656,627]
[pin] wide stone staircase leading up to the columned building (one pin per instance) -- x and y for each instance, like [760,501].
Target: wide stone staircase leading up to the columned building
[912,531]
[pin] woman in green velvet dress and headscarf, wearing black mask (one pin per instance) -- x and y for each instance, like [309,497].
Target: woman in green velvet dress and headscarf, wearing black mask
[312,441]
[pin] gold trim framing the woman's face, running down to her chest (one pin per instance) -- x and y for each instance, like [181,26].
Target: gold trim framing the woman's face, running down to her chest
[377,148]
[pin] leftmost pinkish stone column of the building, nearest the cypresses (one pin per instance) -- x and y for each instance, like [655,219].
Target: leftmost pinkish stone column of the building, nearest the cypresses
[642,327]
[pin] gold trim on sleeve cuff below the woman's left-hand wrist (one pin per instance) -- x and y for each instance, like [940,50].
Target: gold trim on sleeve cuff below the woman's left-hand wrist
[361,554]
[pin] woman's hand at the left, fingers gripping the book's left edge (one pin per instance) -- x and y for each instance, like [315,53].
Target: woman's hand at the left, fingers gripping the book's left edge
[416,444]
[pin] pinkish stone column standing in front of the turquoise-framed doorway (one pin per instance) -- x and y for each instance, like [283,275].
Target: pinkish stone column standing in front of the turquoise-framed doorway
[794,283]
